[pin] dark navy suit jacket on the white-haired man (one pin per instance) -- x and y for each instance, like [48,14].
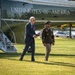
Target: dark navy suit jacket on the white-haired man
[29,32]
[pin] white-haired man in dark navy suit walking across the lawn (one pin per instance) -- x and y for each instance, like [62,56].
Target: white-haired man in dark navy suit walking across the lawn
[29,38]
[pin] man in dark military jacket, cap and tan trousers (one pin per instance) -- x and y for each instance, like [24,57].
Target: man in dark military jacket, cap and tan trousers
[47,38]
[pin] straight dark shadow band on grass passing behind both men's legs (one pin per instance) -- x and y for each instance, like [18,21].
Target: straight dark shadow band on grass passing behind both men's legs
[4,55]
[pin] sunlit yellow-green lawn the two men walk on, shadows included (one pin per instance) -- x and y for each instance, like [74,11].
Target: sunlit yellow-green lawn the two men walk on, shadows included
[61,60]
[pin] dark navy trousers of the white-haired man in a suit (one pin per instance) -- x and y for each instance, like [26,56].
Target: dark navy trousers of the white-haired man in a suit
[27,45]
